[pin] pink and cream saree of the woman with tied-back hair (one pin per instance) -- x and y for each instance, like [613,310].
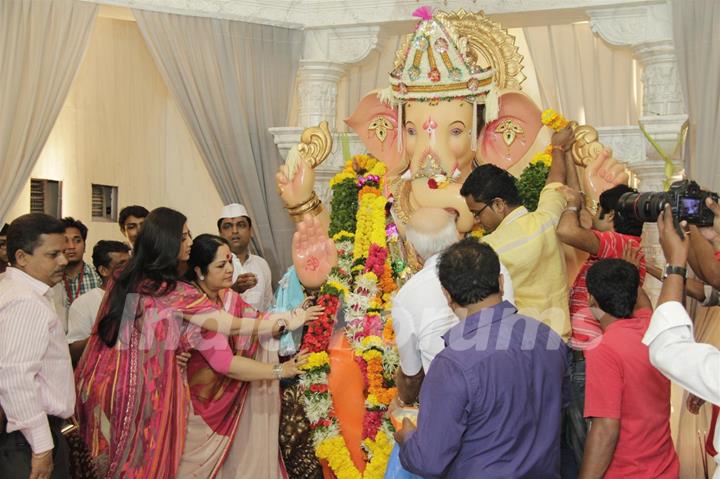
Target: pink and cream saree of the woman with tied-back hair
[233,426]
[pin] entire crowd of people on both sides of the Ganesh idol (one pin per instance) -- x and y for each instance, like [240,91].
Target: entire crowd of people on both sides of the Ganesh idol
[516,373]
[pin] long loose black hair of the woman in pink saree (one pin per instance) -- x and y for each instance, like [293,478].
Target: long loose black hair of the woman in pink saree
[153,265]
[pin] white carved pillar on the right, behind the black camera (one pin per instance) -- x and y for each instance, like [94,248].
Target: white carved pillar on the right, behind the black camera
[647,30]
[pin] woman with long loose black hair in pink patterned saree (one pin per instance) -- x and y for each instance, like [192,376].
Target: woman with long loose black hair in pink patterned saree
[133,399]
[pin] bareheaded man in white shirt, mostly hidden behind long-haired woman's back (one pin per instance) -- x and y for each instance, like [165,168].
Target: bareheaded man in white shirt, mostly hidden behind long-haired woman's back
[108,258]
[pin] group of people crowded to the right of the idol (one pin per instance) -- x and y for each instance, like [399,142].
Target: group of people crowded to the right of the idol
[518,375]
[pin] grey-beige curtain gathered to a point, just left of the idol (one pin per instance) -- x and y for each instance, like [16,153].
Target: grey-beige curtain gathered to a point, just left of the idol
[233,81]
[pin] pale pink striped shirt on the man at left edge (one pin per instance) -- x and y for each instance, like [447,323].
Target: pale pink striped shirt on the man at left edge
[36,378]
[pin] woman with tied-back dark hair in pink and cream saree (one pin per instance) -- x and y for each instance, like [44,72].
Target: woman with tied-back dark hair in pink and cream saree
[233,426]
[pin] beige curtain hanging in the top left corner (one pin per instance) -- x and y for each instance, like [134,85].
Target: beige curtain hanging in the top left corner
[42,43]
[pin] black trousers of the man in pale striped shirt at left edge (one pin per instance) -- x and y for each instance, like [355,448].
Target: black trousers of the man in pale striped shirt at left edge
[15,454]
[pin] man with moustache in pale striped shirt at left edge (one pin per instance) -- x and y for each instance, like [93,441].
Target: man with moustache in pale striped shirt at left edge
[37,391]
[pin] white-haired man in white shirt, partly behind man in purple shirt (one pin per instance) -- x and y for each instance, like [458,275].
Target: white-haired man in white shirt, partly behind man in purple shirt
[421,314]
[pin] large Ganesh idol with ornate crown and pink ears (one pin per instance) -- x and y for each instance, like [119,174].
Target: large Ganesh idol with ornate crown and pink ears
[454,101]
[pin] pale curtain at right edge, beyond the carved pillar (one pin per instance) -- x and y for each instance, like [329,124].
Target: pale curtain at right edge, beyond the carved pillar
[696,32]
